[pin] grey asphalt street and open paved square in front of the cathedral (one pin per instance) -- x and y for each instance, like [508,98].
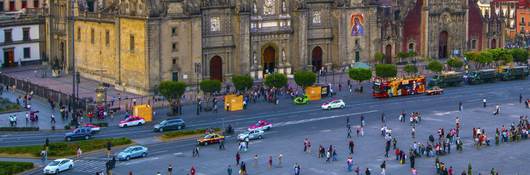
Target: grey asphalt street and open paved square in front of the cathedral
[294,123]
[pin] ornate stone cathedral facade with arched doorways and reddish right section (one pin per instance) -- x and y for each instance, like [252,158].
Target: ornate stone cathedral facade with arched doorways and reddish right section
[135,44]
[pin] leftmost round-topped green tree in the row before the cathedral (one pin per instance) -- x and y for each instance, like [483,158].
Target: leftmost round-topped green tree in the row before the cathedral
[172,91]
